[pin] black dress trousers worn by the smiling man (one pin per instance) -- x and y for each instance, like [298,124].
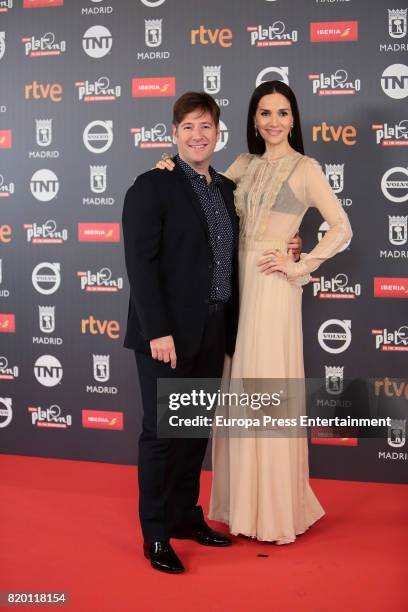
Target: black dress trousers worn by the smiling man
[169,469]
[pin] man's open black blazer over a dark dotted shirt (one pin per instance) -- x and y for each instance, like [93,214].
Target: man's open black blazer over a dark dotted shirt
[169,262]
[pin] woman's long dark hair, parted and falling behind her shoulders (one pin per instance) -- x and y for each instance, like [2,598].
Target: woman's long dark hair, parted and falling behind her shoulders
[256,144]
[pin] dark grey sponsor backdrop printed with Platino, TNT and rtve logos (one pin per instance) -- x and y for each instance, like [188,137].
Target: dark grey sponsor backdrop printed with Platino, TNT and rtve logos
[86,93]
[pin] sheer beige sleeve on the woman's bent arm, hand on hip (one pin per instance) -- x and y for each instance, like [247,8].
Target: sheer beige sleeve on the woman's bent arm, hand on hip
[318,193]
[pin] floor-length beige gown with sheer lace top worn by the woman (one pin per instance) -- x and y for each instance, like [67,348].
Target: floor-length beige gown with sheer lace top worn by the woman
[261,484]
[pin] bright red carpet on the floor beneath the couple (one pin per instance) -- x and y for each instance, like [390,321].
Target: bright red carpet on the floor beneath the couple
[72,526]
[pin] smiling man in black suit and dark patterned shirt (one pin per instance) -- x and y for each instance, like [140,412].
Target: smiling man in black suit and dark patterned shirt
[181,247]
